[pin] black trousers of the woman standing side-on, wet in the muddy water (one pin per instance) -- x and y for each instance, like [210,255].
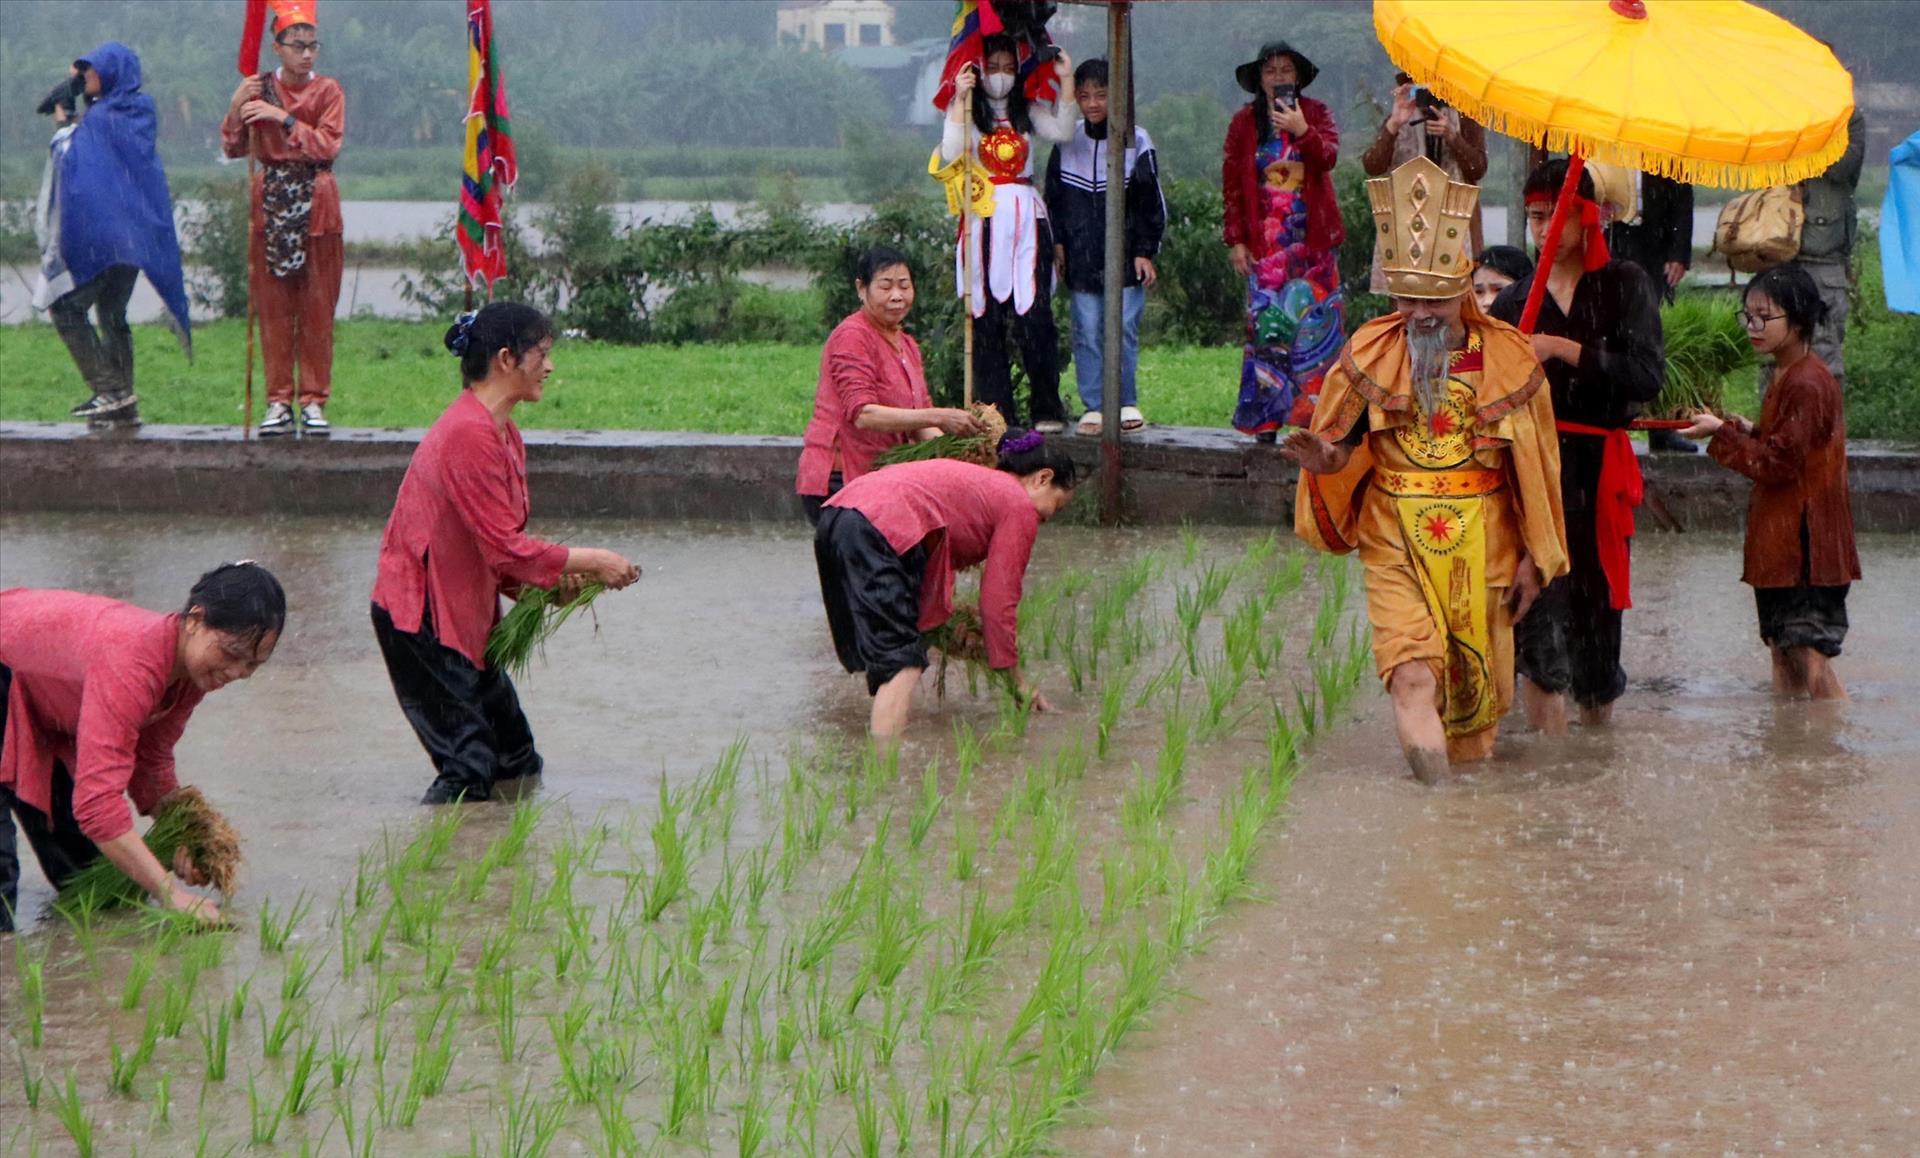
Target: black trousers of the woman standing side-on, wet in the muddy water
[468,719]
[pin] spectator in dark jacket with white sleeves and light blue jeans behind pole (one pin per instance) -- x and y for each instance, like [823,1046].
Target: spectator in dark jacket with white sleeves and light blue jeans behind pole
[1076,205]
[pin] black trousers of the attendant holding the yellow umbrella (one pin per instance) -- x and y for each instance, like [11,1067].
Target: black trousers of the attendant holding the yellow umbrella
[1572,639]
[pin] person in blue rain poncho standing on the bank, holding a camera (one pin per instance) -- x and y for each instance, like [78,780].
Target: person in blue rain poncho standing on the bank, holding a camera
[103,218]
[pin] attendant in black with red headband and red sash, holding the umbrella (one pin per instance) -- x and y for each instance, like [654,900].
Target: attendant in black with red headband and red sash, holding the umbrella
[1598,337]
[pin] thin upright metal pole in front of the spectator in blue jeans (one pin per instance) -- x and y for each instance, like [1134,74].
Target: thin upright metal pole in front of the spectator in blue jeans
[1115,272]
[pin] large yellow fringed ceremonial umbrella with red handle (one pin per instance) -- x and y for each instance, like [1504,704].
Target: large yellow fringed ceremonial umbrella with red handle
[1710,93]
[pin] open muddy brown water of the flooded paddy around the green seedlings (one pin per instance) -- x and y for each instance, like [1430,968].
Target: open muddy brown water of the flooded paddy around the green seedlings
[1691,934]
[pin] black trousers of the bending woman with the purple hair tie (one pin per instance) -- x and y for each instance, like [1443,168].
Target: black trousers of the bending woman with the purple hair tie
[873,596]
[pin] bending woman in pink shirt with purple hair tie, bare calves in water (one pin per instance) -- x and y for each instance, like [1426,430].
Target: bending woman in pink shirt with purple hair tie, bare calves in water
[890,544]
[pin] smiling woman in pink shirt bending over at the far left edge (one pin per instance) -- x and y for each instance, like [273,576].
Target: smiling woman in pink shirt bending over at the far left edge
[95,696]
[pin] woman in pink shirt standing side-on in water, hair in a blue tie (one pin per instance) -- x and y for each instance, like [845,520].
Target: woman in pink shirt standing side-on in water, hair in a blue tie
[456,544]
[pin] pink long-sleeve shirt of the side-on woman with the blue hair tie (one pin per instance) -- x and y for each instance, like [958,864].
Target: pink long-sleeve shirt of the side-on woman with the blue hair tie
[458,535]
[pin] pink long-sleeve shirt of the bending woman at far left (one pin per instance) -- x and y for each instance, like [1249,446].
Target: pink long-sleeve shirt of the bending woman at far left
[93,688]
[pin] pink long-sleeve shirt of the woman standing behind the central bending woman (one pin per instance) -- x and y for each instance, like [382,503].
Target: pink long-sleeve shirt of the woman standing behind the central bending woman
[859,368]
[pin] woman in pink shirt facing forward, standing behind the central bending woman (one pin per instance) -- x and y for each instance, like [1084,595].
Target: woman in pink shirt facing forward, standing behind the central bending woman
[873,387]
